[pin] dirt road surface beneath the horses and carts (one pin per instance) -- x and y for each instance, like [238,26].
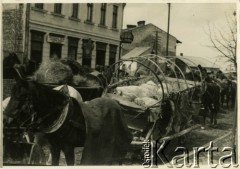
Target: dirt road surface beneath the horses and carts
[196,138]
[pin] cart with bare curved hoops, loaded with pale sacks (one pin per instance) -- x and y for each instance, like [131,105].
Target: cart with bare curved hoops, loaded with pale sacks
[176,101]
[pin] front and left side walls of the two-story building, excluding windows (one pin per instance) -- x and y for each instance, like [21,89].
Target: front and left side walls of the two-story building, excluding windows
[16,34]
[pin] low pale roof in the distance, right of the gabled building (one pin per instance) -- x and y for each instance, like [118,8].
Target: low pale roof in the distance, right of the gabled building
[194,61]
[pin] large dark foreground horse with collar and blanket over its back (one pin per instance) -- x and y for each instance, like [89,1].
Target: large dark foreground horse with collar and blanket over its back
[98,125]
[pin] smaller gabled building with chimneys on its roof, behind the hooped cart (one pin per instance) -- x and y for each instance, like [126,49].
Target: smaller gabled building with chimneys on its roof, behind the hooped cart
[149,35]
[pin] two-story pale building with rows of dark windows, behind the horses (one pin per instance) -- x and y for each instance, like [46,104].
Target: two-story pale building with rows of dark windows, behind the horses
[86,32]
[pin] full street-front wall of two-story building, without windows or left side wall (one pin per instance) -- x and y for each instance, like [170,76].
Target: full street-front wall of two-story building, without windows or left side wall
[46,22]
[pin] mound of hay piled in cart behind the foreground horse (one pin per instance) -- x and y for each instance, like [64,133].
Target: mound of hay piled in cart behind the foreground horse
[63,72]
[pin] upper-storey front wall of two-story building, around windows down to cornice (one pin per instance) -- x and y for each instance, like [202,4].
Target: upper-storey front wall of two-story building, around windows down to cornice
[46,17]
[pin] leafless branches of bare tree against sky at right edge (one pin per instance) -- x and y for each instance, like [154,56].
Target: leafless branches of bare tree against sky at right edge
[224,40]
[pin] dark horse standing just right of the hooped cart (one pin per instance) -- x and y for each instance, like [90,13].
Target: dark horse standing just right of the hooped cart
[210,98]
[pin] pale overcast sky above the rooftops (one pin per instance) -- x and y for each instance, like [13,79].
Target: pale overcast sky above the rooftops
[188,23]
